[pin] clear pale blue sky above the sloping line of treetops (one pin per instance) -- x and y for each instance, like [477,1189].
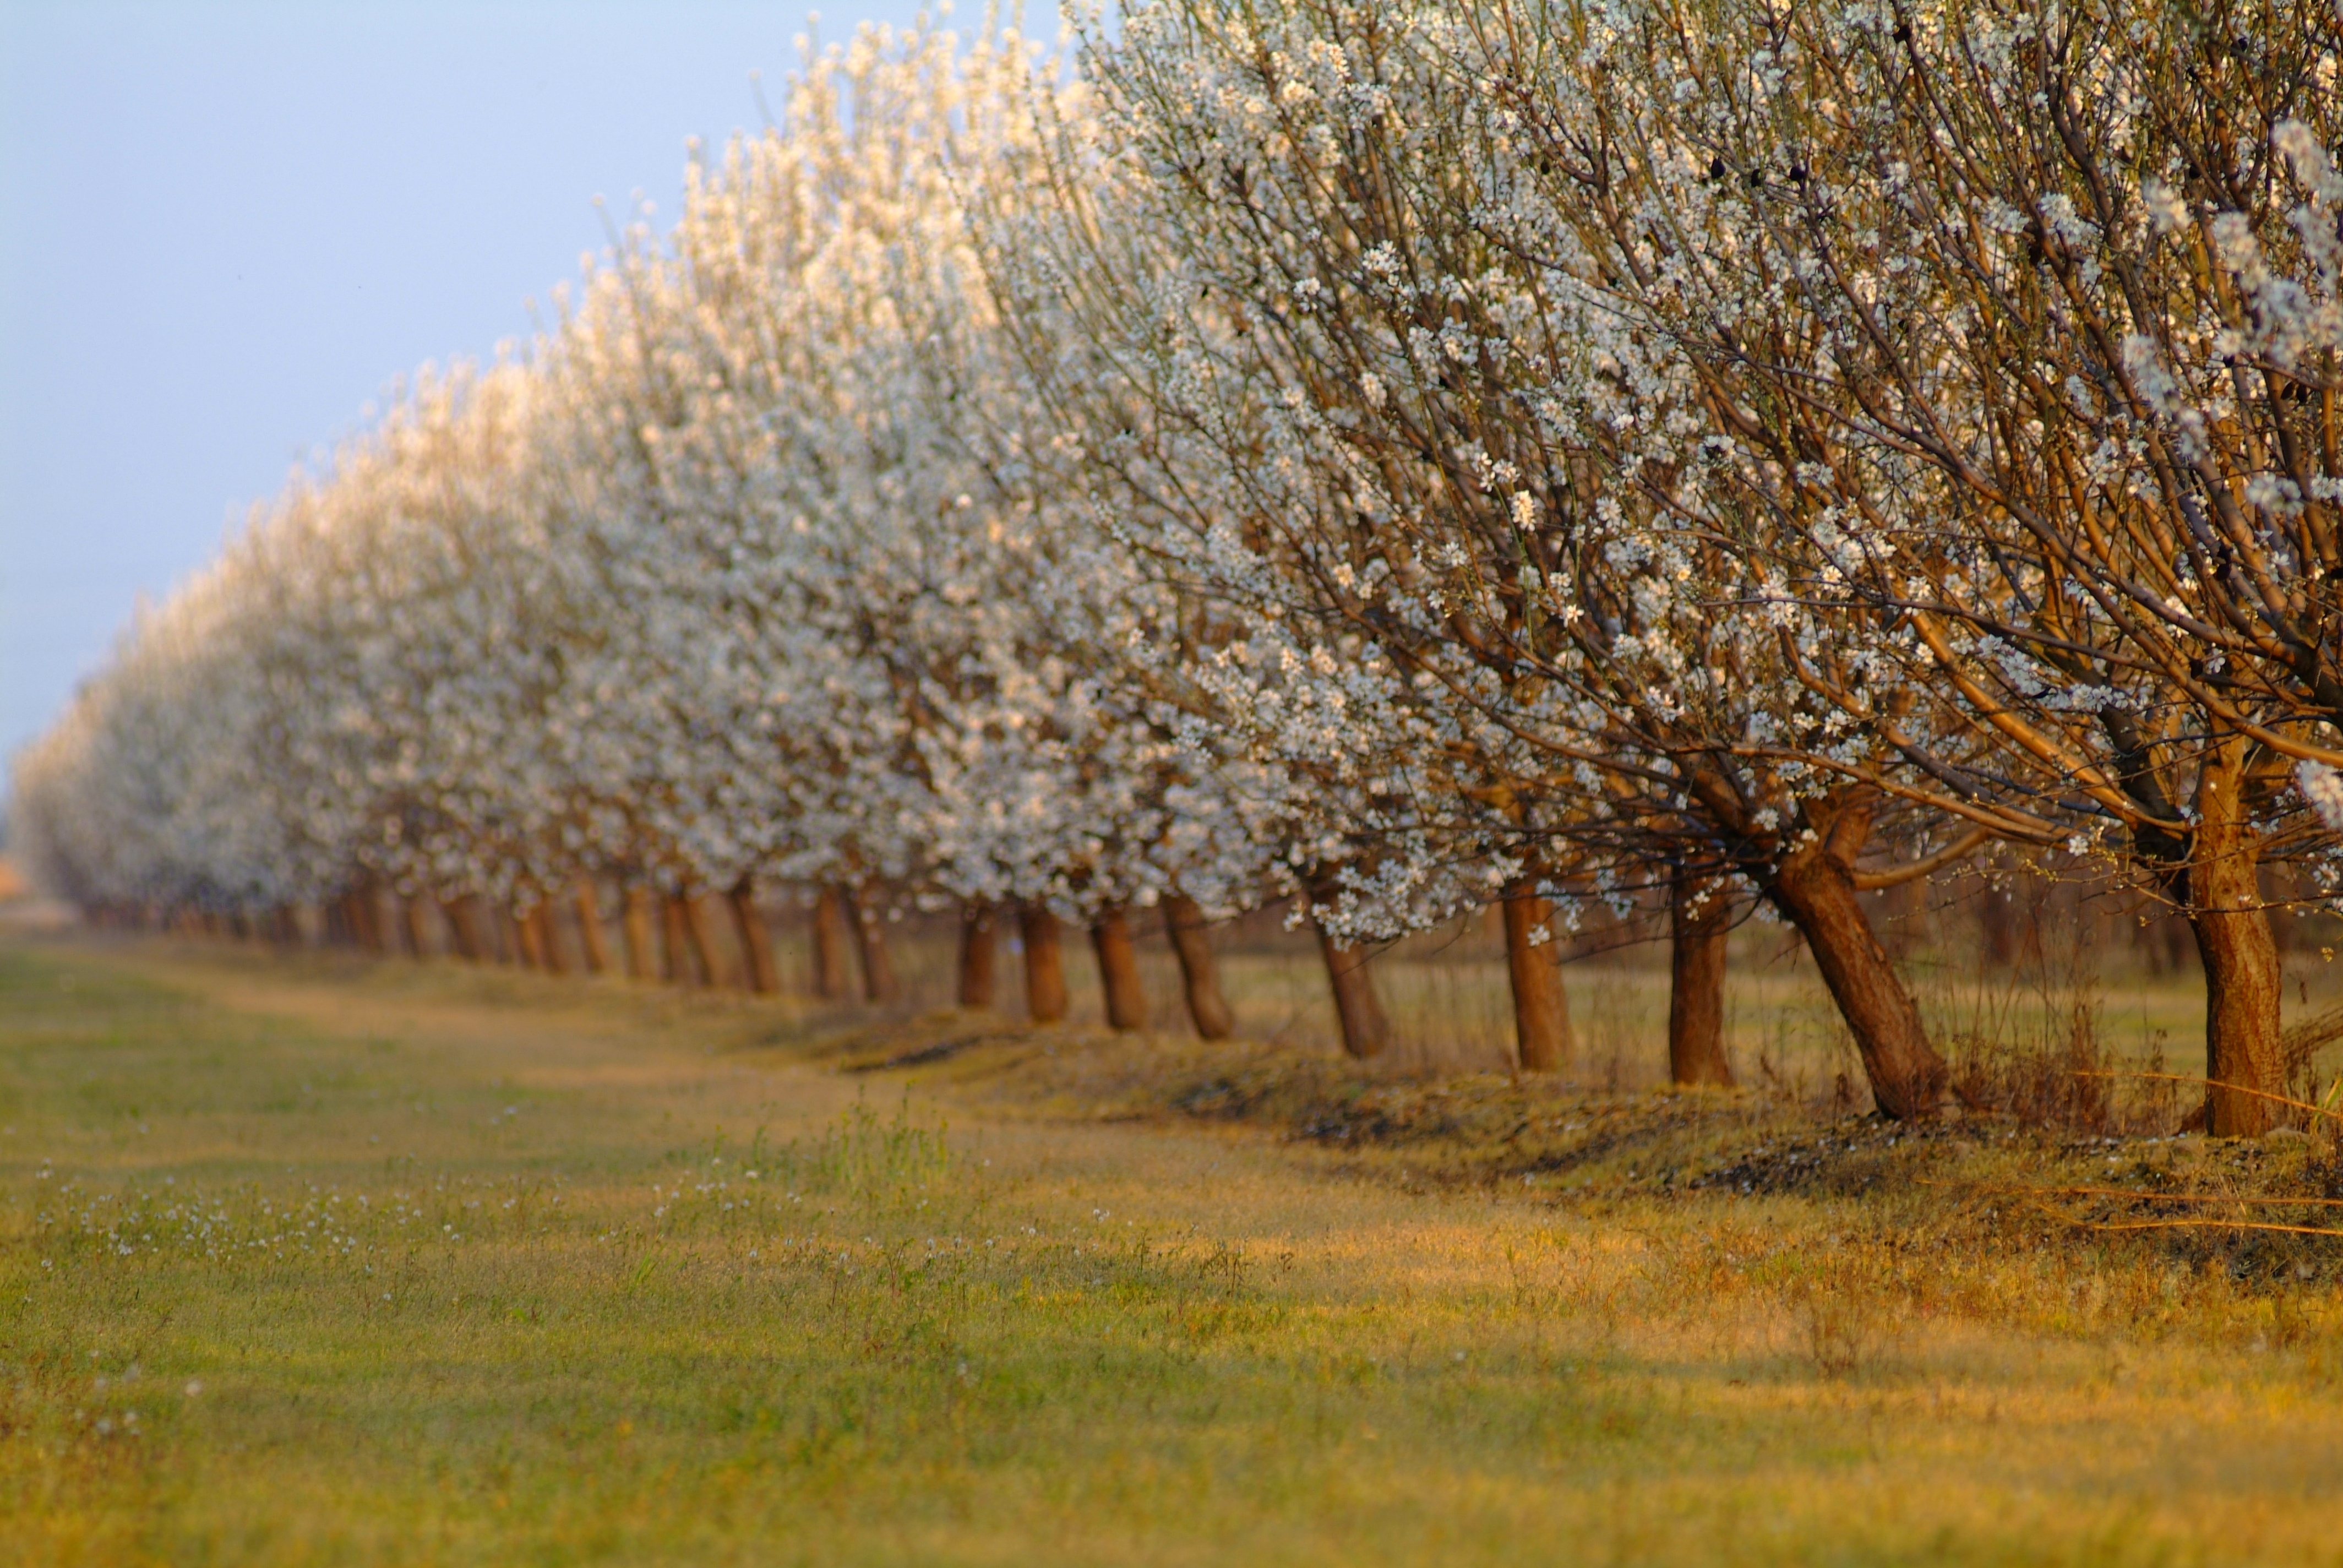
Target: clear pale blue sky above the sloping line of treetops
[228,226]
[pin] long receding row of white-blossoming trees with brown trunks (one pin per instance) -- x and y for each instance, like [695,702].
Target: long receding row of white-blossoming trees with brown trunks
[1388,458]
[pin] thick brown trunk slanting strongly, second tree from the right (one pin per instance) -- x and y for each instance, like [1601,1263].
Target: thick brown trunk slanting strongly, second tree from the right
[1817,887]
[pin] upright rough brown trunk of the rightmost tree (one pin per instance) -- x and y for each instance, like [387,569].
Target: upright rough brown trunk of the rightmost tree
[2241,957]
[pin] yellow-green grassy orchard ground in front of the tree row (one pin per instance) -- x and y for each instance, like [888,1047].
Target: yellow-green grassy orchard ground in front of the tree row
[317,1262]
